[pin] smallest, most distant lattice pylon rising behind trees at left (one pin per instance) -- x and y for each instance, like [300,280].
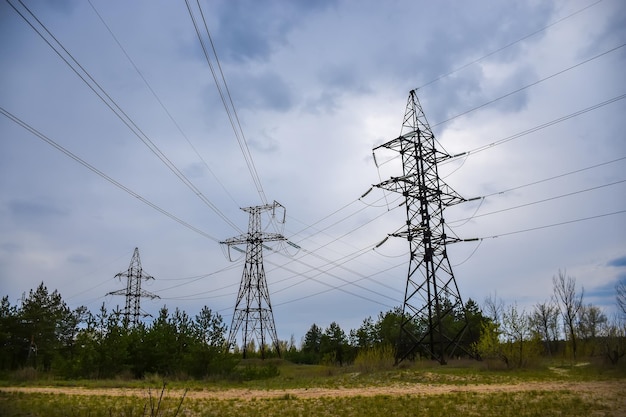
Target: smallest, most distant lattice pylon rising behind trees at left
[133,292]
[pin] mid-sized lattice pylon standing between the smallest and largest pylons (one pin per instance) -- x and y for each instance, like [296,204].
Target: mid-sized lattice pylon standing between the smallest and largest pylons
[253,310]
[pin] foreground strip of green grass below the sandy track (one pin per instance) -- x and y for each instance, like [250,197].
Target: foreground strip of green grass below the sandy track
[520,404]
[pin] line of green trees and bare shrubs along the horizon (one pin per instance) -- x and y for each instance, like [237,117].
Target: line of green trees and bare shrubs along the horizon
[44,334]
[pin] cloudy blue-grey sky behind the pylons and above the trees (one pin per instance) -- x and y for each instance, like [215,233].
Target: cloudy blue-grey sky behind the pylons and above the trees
[533,90]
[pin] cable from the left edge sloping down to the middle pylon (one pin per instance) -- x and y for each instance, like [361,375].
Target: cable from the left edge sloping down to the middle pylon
[76,158]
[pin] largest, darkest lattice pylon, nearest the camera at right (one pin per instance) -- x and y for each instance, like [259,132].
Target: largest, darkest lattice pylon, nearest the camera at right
[431,294]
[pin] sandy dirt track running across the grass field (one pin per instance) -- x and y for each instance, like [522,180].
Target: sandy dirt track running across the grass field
[595,389]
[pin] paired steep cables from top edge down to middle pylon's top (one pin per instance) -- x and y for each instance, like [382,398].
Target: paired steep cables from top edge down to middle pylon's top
[232,114]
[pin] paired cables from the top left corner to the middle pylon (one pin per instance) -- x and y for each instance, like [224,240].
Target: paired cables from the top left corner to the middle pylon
[117,110]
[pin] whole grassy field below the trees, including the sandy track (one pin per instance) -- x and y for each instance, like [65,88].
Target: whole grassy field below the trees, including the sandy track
[457,389]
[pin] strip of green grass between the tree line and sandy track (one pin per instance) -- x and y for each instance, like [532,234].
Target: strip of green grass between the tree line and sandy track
[289,375]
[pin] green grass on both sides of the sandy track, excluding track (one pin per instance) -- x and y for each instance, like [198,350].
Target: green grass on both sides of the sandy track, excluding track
[456,375]
